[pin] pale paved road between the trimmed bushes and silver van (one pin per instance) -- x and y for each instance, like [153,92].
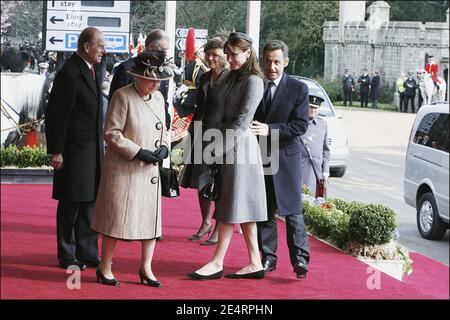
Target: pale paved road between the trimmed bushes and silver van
[375,171]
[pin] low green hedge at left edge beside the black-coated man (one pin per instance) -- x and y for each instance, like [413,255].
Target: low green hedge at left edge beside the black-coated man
[25,157]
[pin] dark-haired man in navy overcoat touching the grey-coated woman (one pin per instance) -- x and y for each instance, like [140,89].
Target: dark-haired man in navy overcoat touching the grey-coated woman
[283,111]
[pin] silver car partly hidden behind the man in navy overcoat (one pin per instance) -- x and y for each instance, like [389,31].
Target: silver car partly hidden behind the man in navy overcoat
[339,149]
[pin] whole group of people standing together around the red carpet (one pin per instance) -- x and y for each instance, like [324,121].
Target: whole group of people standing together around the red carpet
[115,190]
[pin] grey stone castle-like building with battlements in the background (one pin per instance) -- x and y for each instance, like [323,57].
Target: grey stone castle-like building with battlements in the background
[391,47]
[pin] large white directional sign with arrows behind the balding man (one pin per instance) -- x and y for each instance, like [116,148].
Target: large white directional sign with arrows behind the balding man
[66,19]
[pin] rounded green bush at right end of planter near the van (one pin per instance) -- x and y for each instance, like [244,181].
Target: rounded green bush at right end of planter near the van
[371,225]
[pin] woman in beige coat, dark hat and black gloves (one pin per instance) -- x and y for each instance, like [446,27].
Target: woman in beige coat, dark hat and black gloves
[128,203]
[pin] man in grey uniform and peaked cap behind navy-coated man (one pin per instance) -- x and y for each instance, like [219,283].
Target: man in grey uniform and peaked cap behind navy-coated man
[315,151]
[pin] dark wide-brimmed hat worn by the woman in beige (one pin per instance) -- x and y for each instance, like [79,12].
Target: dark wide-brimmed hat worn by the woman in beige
[151,65]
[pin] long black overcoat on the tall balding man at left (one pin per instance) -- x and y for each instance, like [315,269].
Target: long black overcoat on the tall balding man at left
[74,127]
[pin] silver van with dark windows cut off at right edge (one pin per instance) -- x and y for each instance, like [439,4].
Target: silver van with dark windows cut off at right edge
[426,176]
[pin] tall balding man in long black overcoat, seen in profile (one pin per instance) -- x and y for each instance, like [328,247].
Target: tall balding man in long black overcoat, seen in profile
[74,122]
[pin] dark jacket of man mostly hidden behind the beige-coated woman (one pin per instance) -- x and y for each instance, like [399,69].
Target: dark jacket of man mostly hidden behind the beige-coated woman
[122,78]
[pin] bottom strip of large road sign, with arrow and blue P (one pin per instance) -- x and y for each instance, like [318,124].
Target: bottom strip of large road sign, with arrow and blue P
[61,40]
